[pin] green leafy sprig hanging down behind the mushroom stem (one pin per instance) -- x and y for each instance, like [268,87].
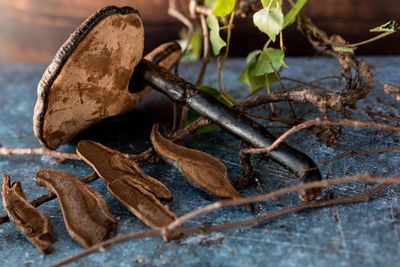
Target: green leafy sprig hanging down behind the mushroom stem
[263,66]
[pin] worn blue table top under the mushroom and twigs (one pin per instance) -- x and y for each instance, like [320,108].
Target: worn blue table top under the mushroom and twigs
[366,234]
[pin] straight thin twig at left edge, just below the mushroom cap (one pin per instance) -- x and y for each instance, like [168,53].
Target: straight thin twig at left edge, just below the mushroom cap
[38,151]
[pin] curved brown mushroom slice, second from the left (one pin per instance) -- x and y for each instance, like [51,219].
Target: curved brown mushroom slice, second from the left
[86,214]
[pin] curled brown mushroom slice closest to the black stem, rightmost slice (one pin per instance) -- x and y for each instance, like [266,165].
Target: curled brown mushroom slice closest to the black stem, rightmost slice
[200,168]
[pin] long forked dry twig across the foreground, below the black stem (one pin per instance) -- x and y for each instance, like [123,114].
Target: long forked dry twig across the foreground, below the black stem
[176,225]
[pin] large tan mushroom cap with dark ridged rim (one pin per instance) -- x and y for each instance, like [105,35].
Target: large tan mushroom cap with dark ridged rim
[88,78]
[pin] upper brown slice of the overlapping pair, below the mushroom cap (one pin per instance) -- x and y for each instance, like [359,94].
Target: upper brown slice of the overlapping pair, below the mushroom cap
[112,165]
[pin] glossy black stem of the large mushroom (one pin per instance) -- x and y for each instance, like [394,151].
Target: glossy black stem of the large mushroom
[248,130]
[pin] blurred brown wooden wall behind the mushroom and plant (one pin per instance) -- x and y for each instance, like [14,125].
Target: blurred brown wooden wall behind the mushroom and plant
[33,30]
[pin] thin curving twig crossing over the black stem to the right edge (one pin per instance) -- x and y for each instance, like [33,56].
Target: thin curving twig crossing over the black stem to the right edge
[321,122]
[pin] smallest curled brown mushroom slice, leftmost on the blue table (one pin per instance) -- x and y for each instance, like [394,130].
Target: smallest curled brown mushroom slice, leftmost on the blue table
[30,222]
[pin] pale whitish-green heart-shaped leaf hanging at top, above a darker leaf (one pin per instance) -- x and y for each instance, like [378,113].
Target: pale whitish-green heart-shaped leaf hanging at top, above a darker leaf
[269,21]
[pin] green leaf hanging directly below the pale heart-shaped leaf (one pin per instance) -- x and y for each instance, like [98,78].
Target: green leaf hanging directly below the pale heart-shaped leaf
[268,60]
